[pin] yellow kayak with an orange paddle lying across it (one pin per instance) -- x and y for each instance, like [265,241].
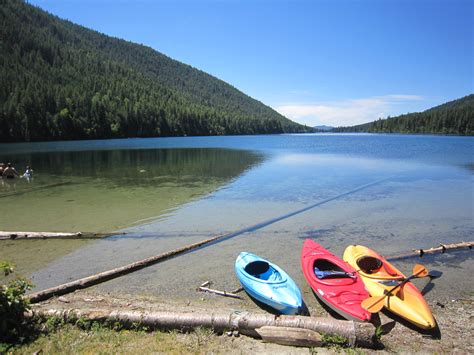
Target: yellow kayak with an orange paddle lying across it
[379,276]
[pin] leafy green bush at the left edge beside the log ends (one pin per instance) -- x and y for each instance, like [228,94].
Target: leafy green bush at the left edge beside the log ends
[14,327]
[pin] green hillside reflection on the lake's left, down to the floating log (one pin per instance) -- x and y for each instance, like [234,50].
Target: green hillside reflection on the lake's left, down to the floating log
[104,190]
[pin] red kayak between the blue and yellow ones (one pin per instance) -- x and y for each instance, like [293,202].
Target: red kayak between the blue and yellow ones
[334,281]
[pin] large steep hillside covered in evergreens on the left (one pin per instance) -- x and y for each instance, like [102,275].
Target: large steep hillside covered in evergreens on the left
[63,81]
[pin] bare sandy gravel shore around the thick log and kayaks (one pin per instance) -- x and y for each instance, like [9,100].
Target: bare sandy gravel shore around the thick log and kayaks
[454,317]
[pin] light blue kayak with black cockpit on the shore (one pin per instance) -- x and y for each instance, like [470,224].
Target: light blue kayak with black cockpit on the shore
[268,283]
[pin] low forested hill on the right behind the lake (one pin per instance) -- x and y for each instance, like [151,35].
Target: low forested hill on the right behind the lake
[454,117]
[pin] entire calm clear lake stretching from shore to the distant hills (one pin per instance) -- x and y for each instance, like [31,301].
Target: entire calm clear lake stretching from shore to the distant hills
[168,192]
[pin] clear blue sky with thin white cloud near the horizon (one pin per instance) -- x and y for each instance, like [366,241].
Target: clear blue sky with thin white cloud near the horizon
[334,62]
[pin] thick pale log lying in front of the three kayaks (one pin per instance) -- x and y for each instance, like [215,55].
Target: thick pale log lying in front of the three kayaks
[361,334]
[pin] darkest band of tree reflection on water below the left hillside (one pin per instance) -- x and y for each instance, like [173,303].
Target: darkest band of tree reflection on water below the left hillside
[140,165]
